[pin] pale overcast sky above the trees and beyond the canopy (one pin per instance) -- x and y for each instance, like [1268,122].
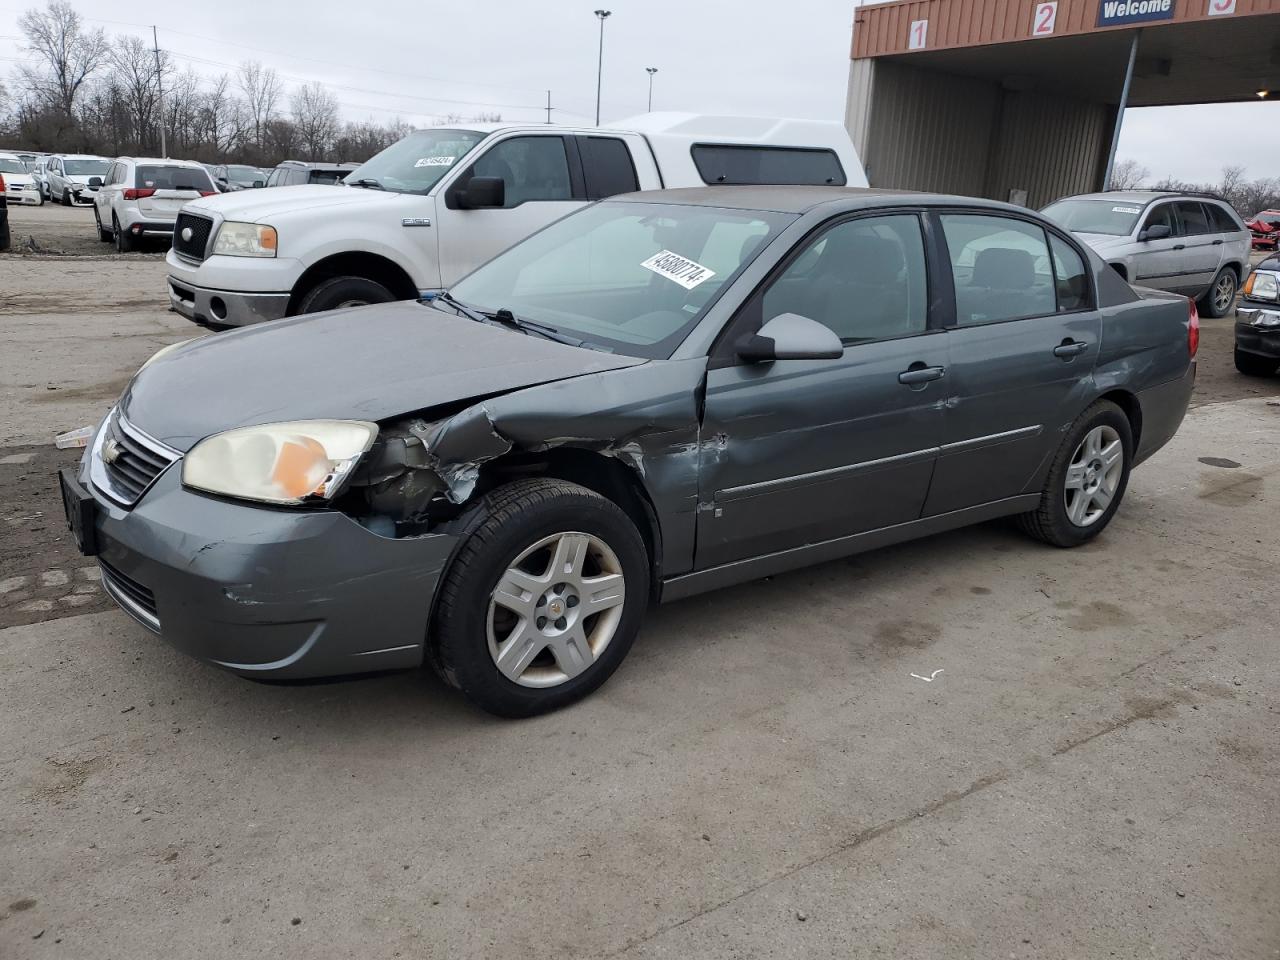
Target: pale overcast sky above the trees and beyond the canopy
[735,57]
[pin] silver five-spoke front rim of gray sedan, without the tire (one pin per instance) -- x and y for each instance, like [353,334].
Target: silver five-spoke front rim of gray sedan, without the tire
[555,610]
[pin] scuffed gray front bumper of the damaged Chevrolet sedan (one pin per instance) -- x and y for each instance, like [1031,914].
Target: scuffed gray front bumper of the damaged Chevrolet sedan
[268,593]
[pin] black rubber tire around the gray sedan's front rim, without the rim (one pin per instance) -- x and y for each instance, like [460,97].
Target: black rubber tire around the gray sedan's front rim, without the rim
[464,625]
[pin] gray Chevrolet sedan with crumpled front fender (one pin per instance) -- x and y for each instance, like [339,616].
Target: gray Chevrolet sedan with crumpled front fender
[661,395]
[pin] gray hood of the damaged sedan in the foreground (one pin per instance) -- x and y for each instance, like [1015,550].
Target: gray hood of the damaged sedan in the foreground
[364,364]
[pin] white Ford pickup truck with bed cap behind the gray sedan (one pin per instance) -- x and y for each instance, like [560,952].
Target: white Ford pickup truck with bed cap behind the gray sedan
[429,209]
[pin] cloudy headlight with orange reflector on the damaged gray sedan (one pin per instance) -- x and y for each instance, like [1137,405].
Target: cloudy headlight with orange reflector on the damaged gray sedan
[291,463]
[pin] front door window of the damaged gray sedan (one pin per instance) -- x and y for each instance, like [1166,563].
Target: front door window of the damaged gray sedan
[866,280]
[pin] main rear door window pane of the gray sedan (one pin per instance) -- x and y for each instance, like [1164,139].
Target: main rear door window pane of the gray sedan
[1002,268]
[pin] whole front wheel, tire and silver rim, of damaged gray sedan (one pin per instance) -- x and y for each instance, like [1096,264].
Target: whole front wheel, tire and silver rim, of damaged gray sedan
[515,532]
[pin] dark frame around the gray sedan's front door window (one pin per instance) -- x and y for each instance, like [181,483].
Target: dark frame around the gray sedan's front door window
[749,317]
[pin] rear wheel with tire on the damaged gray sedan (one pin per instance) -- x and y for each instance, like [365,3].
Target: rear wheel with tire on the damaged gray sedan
[1055,522]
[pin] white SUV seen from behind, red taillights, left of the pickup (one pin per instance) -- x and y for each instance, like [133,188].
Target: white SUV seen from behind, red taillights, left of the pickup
[141,198]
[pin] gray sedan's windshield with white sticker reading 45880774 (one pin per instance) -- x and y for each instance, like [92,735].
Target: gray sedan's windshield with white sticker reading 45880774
[633,278]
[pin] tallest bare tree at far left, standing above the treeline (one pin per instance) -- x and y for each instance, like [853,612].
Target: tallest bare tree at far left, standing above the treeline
[70,54]
